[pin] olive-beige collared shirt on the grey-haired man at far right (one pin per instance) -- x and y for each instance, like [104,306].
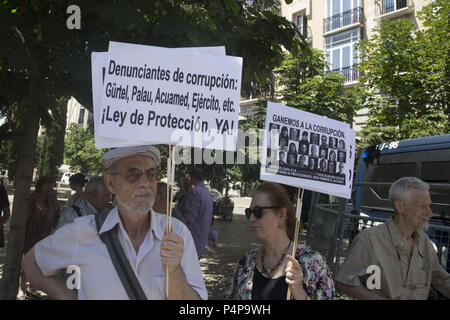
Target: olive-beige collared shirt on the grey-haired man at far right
[402,271]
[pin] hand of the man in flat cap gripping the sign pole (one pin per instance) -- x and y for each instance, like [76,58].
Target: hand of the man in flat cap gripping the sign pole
[172,247]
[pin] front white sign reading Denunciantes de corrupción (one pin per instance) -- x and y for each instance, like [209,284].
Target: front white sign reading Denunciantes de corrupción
[170,97]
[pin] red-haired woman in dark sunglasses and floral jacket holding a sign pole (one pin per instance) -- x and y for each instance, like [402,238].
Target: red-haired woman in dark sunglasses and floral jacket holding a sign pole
[267,272]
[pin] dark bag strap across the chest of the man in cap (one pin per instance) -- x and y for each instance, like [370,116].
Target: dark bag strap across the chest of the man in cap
[119,259]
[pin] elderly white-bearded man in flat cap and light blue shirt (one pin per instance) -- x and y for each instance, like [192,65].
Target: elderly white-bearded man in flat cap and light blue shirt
[149,250]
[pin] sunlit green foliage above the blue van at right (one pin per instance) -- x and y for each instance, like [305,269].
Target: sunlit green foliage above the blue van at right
[411,66]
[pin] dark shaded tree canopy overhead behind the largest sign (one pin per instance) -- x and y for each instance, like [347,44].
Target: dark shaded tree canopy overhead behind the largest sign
[36,40]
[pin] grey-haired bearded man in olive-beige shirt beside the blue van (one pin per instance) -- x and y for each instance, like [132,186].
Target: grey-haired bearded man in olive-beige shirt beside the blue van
[399,248]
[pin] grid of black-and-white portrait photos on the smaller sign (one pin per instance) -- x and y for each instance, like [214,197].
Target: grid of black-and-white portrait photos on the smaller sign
[305,154]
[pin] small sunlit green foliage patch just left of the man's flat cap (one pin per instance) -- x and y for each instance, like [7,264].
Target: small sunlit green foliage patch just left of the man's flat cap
[80,152]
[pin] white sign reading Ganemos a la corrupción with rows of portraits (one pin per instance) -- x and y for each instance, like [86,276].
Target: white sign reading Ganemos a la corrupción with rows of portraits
[309,151]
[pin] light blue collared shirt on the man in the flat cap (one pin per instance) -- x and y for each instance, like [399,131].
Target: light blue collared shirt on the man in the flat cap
[78,244]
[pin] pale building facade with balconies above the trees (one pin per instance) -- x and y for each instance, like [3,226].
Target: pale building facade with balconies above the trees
[336,27]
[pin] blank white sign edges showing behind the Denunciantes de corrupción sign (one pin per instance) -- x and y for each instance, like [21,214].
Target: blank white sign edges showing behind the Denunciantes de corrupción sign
[98,67]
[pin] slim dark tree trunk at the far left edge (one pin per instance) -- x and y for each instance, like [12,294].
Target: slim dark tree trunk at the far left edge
[24,176]
